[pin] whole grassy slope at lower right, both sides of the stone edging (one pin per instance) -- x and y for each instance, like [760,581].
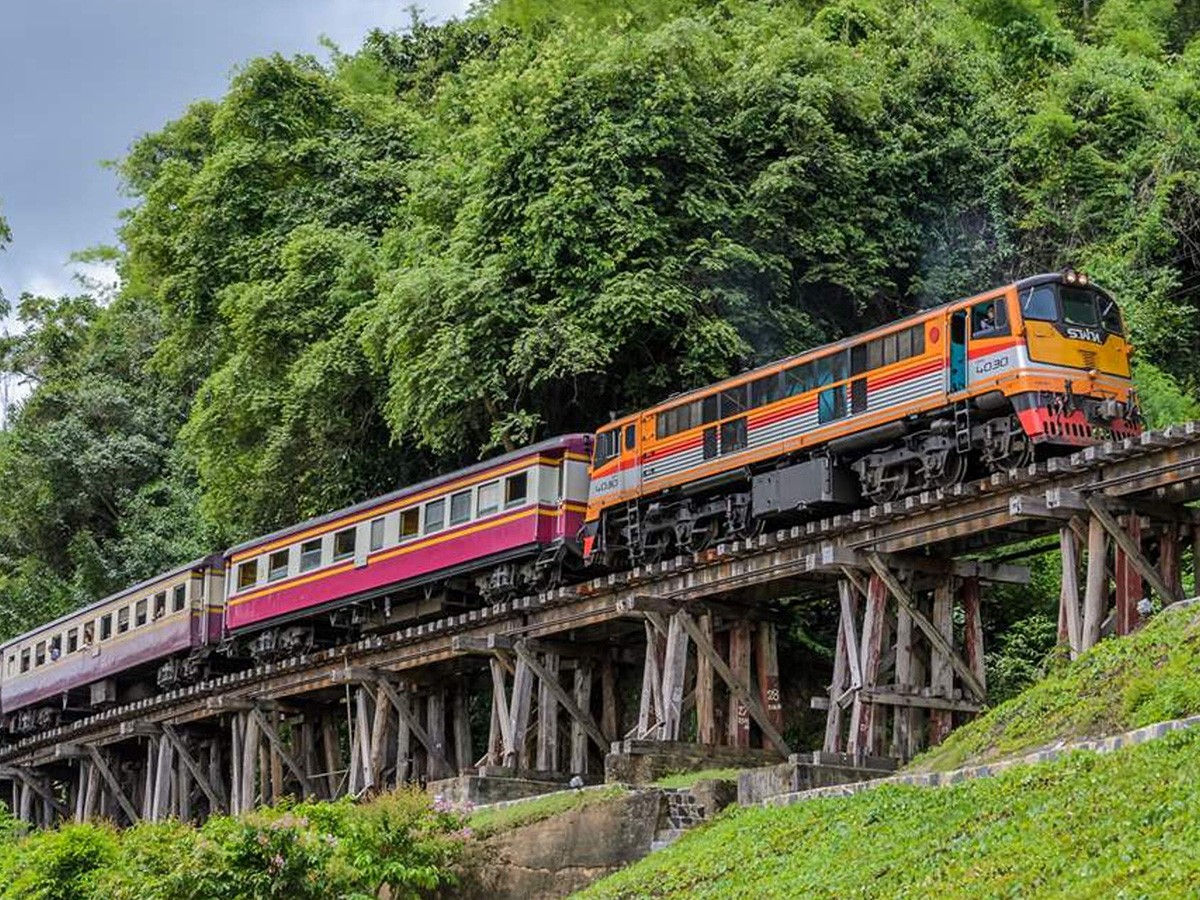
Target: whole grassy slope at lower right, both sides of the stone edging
[1085,826]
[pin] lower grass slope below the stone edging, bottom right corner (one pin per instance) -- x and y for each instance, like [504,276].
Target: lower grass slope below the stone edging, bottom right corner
[1120,825]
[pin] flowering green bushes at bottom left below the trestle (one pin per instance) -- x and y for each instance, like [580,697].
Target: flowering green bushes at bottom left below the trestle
[397,843]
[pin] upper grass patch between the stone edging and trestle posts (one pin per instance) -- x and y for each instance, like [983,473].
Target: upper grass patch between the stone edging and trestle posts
[1118,686]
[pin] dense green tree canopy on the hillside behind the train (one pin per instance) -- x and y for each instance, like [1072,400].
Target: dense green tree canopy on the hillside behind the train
[350,273]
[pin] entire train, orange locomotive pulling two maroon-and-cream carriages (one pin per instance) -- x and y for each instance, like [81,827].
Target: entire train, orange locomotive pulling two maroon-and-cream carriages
[1036,368]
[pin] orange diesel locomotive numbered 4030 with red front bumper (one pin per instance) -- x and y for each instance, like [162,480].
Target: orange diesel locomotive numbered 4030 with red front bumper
[975,386]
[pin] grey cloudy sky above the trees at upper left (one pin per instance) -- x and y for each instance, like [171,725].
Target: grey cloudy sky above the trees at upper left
[81,80]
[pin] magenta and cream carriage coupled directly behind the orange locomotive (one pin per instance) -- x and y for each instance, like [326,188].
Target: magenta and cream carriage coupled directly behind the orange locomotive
[502,526]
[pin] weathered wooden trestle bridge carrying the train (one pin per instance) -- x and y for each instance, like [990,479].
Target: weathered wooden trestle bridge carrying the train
[697,633]
